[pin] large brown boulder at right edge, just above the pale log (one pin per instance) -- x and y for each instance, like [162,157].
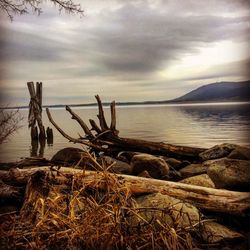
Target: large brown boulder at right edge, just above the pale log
[229,173]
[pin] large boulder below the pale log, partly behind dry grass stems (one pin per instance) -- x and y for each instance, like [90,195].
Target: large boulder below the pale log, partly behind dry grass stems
[165,209]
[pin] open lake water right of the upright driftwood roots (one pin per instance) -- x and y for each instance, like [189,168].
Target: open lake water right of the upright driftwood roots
[193,125]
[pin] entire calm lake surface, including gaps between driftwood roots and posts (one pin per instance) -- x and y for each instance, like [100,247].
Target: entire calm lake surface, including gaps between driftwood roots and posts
[193,125]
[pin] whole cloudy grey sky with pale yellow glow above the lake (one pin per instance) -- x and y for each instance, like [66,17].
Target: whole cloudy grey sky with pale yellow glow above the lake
[124,50]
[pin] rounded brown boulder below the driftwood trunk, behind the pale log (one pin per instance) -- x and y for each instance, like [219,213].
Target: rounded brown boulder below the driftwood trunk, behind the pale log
[156,167]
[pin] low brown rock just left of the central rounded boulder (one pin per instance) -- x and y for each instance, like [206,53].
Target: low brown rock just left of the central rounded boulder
[118,167]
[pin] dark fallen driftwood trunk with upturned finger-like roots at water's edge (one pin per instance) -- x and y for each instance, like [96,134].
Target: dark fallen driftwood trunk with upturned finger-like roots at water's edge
[105,139]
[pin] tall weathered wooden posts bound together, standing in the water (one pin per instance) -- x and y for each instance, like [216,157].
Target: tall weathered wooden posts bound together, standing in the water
[35,111]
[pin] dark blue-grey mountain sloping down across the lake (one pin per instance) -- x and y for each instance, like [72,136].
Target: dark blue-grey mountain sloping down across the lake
[219,91]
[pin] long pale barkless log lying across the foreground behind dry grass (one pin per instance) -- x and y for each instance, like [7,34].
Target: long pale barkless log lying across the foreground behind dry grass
[216,200]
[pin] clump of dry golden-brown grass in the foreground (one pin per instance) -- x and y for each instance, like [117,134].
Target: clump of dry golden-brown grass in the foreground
[75,214]
